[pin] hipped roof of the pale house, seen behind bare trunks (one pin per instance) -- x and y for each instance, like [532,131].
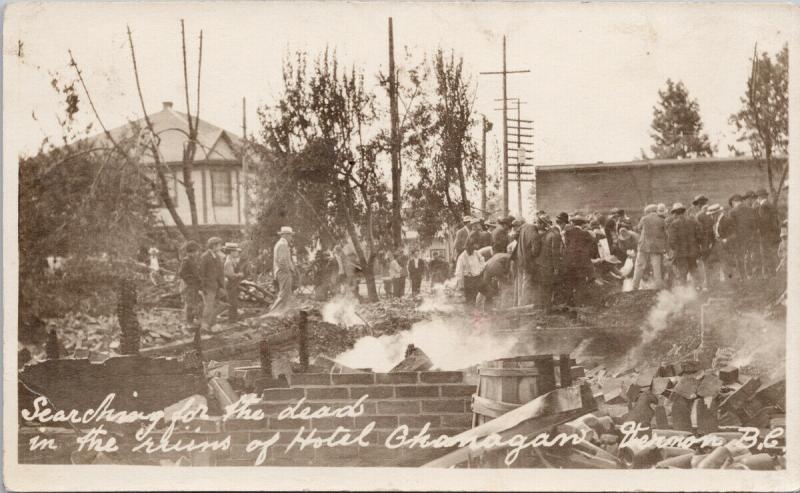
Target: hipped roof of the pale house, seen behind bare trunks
[215,145]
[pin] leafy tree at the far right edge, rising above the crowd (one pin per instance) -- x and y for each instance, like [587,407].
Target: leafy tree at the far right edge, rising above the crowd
[763,120]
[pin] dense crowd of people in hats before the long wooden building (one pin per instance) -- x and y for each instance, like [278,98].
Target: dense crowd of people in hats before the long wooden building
[570,258]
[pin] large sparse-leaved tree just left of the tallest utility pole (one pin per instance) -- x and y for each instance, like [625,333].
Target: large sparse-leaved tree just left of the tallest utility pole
[317,133]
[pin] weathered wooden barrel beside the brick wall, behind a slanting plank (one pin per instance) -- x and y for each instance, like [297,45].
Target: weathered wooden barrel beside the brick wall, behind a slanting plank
[505,384]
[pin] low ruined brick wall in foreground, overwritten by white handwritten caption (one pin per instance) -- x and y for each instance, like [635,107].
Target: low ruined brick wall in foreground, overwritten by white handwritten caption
[438,398]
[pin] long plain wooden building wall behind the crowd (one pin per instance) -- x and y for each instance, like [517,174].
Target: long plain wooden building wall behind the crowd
[632,185]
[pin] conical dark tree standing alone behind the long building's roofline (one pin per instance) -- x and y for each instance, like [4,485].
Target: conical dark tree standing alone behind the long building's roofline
[677,127]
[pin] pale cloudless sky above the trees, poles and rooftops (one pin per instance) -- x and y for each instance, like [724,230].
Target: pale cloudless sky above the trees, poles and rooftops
[595,69]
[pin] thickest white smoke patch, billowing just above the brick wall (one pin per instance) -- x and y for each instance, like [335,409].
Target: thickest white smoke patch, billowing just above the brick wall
[453,343]
